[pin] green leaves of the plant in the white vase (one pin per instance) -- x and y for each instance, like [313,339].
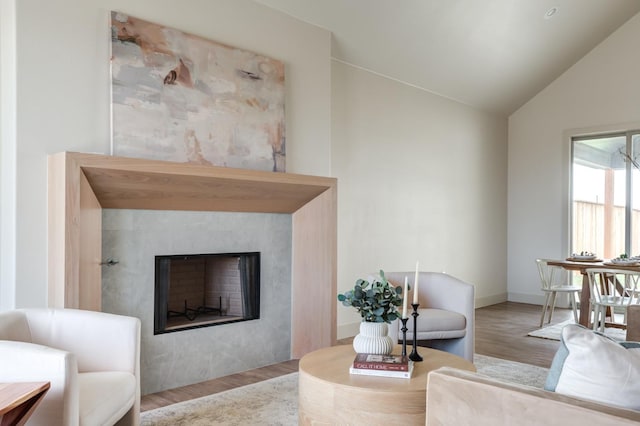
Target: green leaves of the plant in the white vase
[376,301]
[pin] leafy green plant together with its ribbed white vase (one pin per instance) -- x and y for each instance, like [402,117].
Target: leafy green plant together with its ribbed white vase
[376,301]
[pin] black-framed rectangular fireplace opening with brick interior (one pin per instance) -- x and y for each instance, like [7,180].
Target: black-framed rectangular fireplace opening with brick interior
[201,290]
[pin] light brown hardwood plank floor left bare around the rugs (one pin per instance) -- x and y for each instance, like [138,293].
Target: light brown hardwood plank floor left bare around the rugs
[501,332]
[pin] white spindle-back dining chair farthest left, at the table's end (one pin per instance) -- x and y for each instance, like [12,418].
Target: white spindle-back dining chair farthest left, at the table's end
[554,280]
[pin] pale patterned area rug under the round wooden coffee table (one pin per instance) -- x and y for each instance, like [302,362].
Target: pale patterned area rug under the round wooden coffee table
[274,402]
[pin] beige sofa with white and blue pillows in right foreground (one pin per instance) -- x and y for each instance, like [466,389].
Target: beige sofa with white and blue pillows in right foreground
[593,380]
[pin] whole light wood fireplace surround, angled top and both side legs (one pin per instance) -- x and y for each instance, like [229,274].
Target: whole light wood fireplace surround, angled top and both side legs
[81,185]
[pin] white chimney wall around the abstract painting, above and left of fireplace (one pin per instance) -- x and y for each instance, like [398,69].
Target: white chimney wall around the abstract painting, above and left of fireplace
[62,87]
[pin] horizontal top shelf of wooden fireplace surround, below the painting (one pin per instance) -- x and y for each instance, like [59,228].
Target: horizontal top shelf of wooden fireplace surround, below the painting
[126,183]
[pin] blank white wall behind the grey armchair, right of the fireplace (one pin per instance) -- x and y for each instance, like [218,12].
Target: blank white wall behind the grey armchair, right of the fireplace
[420,177]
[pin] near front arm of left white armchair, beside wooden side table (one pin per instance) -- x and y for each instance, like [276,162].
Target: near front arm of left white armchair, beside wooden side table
[24,362]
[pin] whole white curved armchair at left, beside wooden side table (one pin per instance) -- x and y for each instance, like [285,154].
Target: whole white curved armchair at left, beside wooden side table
[92,360]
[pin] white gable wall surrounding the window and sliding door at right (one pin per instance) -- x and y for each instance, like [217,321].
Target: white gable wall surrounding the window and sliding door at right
[599,93]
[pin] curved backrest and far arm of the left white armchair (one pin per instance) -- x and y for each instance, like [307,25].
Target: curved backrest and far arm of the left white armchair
[100,341]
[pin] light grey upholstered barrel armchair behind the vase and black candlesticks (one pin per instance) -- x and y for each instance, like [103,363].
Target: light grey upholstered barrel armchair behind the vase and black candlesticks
[447,313]
